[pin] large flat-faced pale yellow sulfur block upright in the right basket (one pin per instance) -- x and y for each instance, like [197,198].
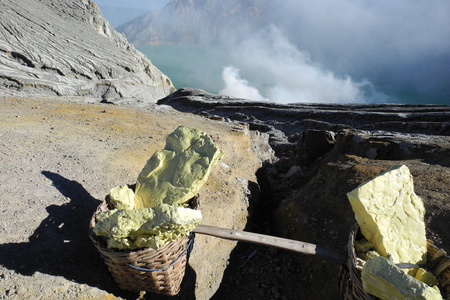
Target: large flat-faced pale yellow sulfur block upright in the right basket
[391,215]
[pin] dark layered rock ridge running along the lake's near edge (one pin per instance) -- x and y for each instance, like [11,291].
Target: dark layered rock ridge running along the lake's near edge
[285,122]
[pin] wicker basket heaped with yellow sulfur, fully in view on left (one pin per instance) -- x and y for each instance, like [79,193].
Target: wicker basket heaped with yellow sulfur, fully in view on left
[144,232]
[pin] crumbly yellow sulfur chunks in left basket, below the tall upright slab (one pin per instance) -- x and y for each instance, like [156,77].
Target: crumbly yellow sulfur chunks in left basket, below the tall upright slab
[146,227]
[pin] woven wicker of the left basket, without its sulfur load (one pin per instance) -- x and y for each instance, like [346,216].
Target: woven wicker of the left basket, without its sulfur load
[158,271]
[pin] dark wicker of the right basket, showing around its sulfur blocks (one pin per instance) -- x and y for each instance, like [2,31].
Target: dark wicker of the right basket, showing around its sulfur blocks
[350,274]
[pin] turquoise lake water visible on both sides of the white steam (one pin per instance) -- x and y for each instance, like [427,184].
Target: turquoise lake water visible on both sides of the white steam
[201,67]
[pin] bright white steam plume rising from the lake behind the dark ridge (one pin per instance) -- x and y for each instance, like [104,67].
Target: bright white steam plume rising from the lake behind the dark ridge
[281,73]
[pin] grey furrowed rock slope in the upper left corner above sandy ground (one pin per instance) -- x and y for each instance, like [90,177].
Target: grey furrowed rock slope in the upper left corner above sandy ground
[66,48]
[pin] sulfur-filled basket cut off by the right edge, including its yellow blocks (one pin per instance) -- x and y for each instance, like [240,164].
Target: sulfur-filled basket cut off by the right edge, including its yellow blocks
[389,256]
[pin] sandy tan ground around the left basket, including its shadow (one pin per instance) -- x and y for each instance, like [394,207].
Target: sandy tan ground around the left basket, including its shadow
[58,161]
